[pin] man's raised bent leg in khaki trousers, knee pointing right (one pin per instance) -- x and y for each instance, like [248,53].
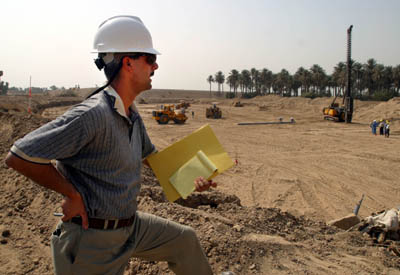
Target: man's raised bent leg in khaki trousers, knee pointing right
[158,239]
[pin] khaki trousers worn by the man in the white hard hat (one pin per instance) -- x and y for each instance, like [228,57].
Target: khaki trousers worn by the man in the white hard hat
[152,238]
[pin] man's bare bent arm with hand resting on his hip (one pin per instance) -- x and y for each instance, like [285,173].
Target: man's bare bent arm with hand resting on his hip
[48,176]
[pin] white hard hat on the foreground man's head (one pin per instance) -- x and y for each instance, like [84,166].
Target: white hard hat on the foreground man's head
[123,34]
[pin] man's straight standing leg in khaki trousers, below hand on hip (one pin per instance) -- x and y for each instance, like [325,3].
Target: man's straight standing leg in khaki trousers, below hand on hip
[92,251]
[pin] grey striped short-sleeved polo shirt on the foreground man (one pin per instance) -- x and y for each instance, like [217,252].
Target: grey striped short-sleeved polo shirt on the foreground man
[98,149]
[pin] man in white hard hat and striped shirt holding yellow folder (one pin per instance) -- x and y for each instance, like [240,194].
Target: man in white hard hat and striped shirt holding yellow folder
[99,146]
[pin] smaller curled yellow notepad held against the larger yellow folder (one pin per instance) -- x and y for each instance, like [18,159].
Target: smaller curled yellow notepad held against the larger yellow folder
[183,178]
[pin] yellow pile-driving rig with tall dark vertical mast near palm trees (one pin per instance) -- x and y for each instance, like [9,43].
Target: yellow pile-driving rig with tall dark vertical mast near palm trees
[343,113]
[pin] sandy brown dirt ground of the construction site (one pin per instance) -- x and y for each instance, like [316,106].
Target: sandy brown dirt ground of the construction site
[268,214]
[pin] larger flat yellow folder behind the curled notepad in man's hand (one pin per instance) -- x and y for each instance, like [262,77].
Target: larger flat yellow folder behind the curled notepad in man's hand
[168,161]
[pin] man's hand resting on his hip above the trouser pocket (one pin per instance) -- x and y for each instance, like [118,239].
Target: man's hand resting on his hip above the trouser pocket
[74,206]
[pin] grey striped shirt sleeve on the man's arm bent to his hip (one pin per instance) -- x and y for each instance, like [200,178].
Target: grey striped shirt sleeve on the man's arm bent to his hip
[58,139]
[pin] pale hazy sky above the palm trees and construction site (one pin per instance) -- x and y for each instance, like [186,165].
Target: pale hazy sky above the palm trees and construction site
[51,41]
